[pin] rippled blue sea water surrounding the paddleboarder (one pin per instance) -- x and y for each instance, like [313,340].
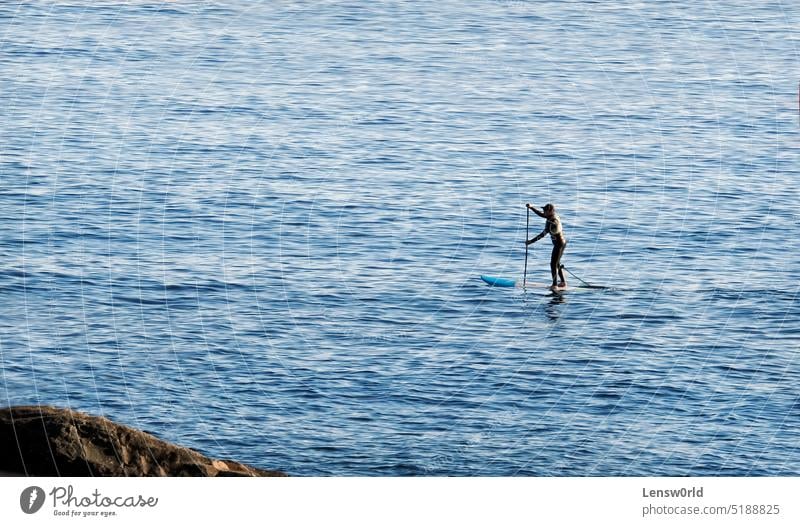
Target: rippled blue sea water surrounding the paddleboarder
[256,229]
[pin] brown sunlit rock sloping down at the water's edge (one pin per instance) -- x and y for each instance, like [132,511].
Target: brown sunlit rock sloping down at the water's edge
[47,441]
